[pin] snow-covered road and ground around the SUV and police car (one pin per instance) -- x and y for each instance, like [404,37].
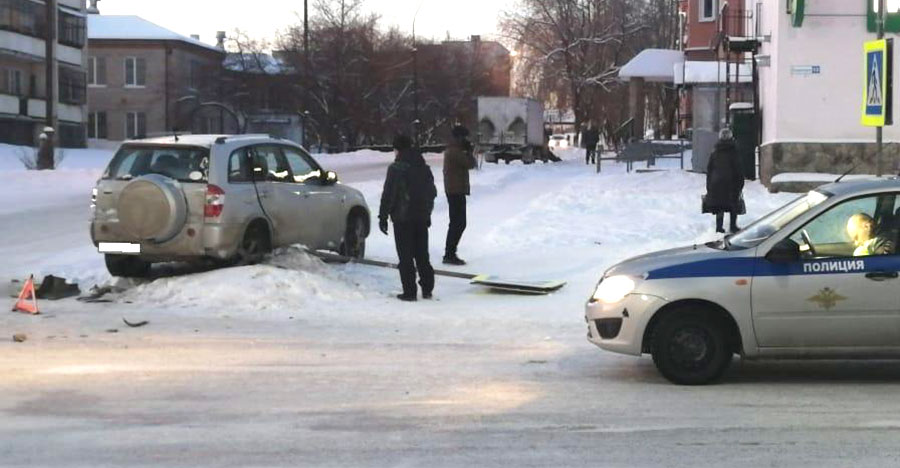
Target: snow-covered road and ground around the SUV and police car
[298,363]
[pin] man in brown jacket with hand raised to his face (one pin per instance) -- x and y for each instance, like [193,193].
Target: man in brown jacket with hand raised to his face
[459,159]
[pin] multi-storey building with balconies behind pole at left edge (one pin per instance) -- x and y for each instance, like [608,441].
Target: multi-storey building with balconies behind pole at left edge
[23,107]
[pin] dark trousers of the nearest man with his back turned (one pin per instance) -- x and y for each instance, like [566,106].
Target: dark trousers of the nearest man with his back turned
[411,239]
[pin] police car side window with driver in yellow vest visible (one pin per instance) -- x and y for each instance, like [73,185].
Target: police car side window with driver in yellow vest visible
[855,228]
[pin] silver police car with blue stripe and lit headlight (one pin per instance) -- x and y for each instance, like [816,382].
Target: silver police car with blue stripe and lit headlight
[801,282]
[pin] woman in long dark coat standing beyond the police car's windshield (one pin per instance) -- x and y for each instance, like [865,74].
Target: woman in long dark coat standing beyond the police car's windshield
[724,182]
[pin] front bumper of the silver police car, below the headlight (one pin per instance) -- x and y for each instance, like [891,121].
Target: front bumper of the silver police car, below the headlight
[620,327]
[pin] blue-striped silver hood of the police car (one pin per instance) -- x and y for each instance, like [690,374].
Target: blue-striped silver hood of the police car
[651,263]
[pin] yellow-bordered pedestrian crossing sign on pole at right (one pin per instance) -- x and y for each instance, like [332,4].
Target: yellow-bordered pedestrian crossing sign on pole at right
[878,90]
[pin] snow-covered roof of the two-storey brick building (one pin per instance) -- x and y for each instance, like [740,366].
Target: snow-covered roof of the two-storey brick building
[135,28]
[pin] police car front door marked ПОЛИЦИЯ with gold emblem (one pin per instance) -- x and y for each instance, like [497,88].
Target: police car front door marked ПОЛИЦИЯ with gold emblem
[831,298]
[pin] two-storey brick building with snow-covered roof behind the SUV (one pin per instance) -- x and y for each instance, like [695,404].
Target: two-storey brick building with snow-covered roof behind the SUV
[145,80]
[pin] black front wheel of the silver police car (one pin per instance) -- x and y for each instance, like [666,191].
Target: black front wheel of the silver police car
[691,348]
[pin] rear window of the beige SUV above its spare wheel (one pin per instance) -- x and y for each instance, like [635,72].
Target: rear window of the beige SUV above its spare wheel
[182,163]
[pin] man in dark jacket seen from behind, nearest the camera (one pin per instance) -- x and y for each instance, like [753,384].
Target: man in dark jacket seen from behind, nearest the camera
[408,199]
